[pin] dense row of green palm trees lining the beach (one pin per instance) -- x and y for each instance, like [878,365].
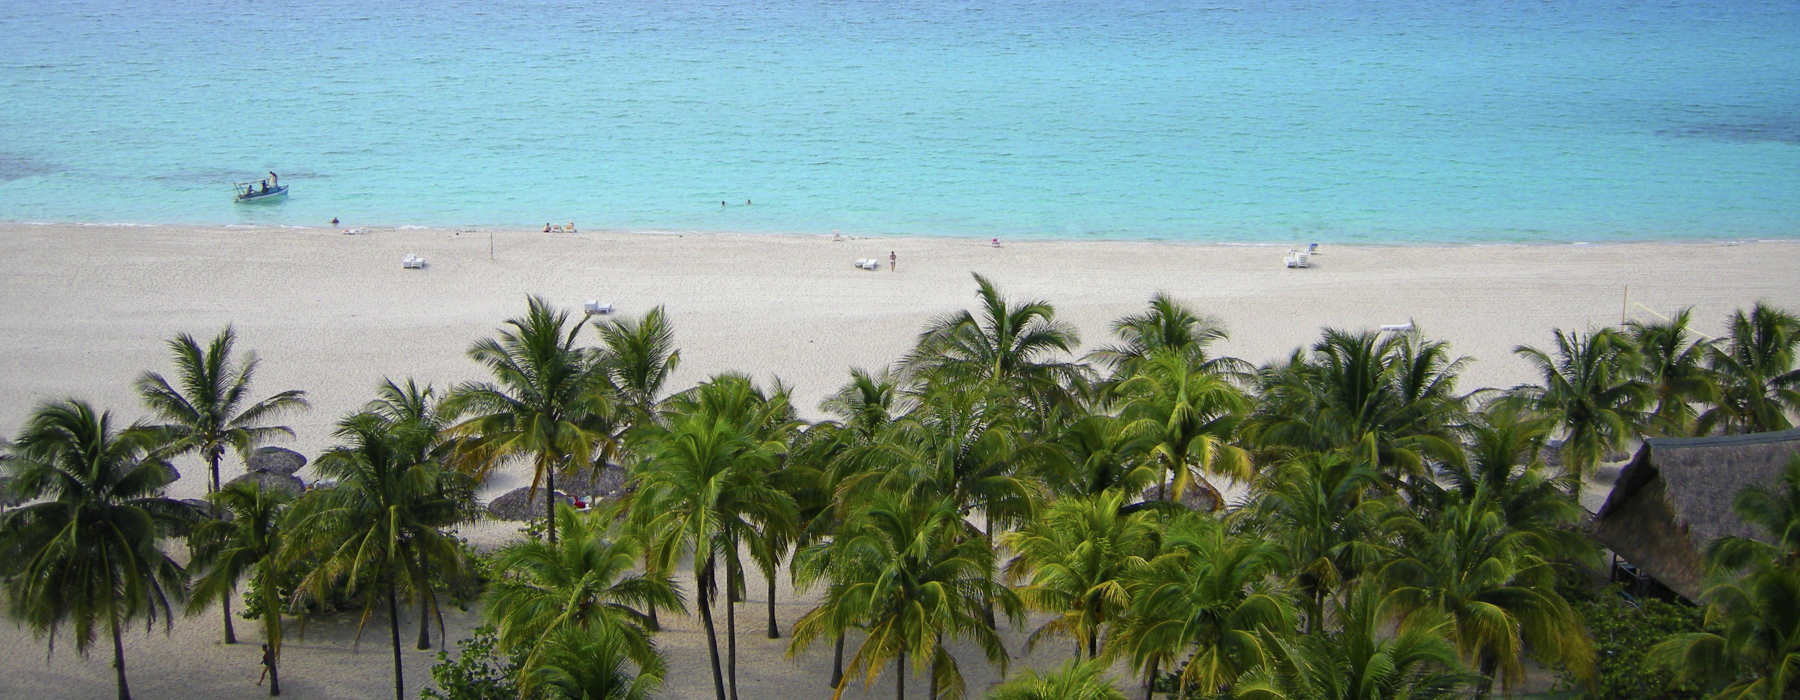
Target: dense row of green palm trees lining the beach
[1389,534]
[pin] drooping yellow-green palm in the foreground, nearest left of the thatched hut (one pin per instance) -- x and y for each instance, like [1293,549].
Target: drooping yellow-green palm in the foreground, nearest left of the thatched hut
[1495,586]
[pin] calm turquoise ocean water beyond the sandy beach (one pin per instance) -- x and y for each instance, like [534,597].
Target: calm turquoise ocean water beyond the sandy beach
[1403,121]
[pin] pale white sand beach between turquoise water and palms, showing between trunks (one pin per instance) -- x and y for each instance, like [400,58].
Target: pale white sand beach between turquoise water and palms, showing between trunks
[89,309]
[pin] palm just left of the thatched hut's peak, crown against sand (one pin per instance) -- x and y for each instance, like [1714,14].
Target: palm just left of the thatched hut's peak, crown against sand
[1590,391]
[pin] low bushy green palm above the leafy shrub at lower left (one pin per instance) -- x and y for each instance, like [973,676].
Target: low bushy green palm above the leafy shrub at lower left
[584,582]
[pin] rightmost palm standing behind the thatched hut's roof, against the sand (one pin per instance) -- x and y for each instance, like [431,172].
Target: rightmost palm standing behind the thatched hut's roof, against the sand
[1759,386]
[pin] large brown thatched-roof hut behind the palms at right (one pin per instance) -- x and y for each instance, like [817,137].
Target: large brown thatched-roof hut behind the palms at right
[1677,496]
